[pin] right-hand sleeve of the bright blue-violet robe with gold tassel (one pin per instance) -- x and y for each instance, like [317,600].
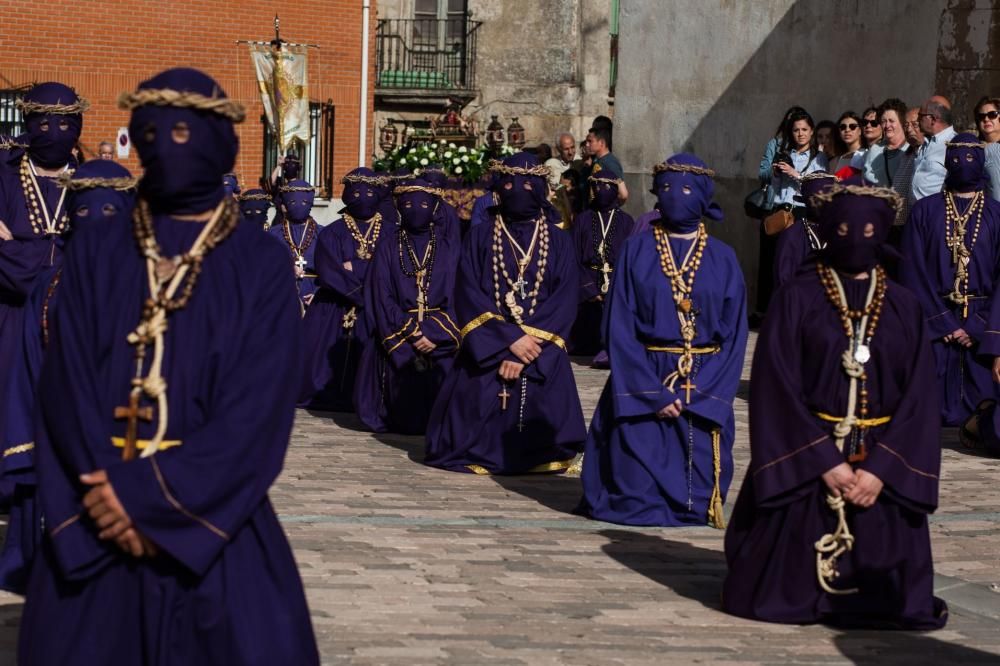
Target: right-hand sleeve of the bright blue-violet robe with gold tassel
[718,380]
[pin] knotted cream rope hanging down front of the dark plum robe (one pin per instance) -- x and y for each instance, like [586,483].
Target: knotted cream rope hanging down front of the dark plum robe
[832,545]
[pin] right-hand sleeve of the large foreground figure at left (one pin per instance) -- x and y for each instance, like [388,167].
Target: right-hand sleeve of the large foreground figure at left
[192,499]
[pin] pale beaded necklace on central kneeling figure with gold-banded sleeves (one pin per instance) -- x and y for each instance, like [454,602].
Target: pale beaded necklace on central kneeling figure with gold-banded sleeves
[540,237]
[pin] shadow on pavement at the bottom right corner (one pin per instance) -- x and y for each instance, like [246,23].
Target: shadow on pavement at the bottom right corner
[871,648]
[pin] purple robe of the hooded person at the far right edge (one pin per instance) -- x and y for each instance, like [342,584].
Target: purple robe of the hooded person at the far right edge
[964,375]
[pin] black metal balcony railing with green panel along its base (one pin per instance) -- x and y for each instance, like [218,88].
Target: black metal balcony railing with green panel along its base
[433,54]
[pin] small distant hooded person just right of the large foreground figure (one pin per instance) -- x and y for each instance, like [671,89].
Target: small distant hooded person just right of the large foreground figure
[298,232]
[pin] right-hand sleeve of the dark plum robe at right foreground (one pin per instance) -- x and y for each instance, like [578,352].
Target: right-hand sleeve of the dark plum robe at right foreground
[907,456]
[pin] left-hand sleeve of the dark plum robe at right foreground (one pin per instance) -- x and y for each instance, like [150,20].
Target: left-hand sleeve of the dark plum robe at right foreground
[788,448]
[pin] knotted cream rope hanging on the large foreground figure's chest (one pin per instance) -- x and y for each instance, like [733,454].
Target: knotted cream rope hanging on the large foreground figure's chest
[155,326]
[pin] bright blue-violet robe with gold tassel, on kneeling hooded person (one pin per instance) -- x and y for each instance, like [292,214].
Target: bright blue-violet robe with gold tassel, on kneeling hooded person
[639,469]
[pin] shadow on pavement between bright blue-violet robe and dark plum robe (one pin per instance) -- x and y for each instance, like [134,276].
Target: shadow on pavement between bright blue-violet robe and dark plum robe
[690,571]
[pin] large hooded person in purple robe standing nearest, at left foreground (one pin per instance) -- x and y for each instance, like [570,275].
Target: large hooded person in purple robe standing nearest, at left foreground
[161,546]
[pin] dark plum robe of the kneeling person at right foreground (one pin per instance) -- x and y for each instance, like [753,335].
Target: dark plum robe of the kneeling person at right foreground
[781,511]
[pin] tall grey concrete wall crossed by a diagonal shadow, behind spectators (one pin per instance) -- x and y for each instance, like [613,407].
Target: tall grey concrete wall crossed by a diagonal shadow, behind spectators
[714,77]
